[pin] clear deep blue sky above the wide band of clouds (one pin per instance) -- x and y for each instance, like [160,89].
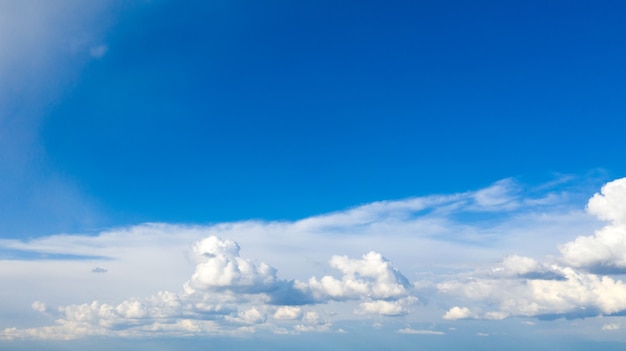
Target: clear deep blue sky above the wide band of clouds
[213,111]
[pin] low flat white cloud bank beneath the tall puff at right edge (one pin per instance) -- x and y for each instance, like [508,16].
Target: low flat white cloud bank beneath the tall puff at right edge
[576,294]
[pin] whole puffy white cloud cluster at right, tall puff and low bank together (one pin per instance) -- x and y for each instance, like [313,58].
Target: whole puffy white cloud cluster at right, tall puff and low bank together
[522,286]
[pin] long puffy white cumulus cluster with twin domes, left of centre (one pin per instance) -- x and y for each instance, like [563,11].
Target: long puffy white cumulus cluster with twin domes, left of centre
[231,294]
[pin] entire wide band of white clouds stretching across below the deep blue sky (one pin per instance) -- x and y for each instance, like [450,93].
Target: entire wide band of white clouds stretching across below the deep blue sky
[226,292]
